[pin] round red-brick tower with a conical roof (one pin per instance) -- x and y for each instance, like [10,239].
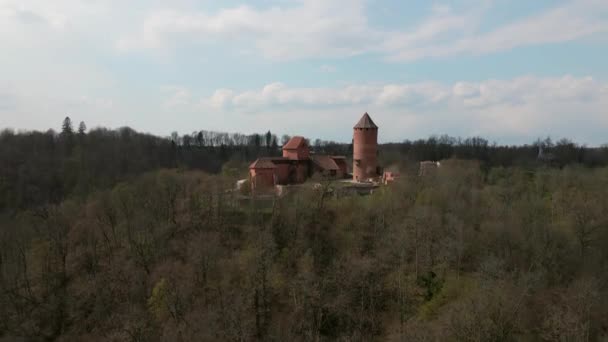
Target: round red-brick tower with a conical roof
[365,149]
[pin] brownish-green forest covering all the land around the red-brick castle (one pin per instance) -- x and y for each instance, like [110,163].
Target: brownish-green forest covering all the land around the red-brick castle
[115,235]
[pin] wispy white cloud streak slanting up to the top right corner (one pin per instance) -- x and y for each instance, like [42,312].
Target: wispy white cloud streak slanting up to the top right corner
[571,21]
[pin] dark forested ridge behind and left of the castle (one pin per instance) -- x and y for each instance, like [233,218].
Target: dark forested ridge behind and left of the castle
[37,168]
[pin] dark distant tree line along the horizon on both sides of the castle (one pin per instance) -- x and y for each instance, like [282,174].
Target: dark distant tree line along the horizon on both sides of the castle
[37,168]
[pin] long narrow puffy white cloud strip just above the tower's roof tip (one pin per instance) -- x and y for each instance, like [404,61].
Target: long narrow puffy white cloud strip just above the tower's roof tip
[469,94]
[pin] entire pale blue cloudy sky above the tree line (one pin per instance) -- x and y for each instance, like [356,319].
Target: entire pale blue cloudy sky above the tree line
[507,70]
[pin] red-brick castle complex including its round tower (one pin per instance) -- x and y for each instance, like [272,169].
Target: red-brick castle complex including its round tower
[297,163]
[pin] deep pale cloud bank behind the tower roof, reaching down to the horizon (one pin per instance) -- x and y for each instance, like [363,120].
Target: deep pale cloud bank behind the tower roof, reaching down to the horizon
[523,107]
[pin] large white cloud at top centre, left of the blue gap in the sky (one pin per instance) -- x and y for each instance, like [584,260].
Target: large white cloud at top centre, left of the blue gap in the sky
[311,28]
